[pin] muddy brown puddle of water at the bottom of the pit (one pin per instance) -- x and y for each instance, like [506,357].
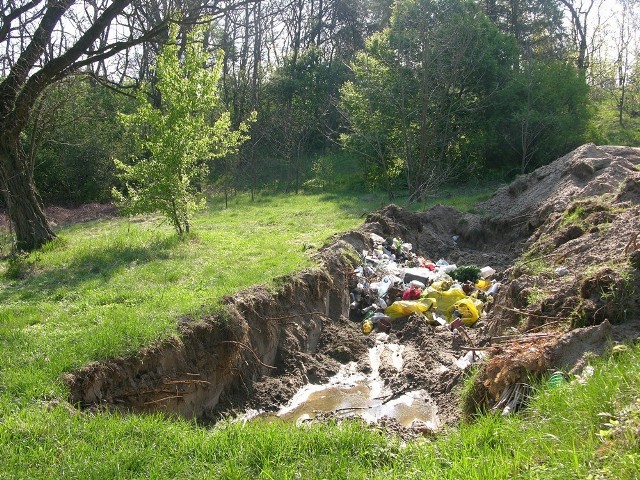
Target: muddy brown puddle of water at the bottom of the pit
[352,393]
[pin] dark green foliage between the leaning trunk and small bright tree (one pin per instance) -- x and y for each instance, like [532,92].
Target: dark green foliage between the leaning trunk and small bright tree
[73,139]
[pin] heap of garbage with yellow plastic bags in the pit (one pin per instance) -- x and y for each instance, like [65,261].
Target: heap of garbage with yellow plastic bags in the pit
[394,282]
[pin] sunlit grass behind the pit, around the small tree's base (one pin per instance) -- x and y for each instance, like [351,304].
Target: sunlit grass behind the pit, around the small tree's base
[108,288]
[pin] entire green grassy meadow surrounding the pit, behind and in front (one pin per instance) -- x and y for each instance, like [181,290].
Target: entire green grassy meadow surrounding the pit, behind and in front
[108,287]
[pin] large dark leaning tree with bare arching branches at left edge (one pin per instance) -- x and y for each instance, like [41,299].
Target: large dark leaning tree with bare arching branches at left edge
[39,48]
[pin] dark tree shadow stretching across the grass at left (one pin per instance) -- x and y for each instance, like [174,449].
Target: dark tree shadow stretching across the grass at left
[95,264]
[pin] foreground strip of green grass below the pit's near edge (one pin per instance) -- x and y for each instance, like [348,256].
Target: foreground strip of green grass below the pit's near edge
[571,431]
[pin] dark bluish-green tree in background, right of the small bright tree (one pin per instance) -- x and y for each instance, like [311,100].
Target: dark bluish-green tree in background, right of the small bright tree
[297,118]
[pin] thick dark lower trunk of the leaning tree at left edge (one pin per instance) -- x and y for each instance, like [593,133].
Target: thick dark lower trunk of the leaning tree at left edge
[20,195]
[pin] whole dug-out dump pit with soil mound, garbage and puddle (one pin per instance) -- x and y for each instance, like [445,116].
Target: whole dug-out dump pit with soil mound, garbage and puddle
[400,312]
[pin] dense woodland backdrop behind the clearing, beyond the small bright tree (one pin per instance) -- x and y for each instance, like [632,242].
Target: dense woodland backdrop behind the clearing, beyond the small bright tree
[403,96]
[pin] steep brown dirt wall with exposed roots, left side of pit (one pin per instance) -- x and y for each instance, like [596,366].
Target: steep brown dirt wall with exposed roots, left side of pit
[221,356]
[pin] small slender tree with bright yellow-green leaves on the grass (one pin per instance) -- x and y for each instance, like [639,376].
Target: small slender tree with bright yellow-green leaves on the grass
[175,142]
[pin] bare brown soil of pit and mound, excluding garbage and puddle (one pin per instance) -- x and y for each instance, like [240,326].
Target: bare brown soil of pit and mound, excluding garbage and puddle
[564,242]
